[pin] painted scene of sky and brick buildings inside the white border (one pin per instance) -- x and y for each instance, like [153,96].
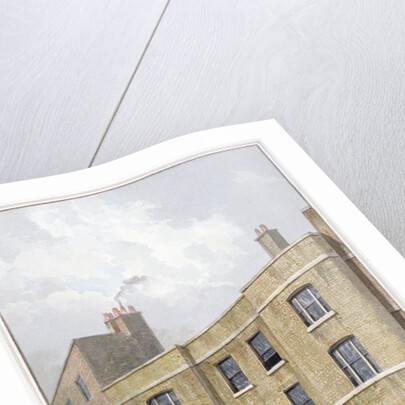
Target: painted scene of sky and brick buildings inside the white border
[212,282]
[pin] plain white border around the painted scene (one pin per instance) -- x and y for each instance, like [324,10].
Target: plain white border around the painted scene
[361,237]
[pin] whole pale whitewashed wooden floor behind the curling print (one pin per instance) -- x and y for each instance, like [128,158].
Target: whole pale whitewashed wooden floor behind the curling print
[85,82]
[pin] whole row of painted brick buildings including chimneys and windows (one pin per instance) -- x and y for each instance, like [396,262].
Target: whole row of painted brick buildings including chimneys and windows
[313,326]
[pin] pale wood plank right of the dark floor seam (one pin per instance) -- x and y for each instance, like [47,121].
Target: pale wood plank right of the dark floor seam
[330,72]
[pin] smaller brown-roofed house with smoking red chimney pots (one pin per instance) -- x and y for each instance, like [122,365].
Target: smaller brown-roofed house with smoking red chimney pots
[94,362]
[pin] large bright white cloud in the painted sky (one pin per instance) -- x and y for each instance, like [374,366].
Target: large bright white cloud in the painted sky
[94,240]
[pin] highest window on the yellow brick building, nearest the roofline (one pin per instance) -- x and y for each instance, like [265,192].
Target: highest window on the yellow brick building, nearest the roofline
[309,305]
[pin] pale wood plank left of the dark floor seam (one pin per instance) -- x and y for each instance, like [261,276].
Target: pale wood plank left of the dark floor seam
[63,68]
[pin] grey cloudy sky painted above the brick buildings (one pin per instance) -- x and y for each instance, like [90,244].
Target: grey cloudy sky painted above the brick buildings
[171,244]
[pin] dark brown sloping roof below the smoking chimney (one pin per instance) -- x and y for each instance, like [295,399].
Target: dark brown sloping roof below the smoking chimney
[111,356]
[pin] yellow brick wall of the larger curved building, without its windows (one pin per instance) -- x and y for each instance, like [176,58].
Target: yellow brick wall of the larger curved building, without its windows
[263,306]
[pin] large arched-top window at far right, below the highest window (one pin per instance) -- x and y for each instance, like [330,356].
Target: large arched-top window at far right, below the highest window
[354,360]
